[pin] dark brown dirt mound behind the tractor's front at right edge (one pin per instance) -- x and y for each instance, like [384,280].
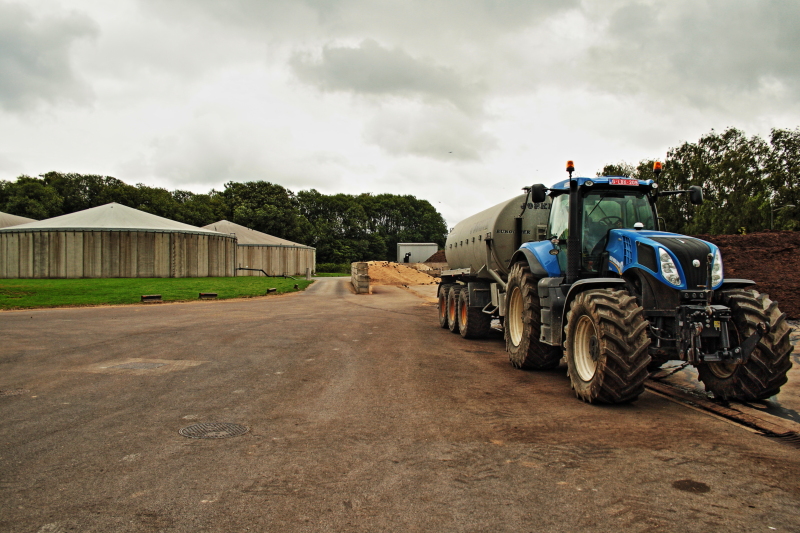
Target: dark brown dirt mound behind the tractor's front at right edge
[770,258]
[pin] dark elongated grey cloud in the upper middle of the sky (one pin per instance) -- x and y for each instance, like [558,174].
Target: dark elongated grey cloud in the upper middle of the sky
[374,70]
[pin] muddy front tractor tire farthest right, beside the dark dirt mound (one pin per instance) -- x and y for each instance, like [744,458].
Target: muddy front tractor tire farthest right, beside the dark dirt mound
[765,372]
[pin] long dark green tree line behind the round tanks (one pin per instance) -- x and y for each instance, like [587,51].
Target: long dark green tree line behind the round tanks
[342,227]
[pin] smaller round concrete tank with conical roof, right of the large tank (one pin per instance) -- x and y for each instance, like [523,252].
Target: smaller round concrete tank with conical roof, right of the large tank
[275,256]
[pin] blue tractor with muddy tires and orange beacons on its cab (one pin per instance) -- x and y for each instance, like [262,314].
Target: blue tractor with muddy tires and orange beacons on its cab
[618,298]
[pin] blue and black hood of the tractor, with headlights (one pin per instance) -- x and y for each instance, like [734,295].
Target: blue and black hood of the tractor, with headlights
[663,255]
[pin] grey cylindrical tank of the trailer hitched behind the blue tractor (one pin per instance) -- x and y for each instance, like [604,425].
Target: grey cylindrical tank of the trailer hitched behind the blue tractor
[506,225]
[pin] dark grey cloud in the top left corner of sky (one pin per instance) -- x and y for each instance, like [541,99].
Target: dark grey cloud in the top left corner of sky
[35,64]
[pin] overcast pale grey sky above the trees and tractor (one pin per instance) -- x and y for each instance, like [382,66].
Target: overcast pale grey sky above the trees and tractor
[459,102]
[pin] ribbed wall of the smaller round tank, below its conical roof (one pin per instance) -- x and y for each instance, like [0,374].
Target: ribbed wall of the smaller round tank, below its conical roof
[275,260]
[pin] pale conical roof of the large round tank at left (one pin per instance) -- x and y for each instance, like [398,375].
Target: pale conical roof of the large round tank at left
[110,217]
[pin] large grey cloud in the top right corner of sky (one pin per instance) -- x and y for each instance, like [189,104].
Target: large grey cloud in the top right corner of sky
[715,53]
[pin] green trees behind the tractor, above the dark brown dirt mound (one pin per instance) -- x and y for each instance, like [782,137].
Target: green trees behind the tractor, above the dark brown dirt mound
[749,183]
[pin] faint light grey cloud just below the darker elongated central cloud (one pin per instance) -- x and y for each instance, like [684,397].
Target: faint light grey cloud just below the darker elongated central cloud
[434,133]
